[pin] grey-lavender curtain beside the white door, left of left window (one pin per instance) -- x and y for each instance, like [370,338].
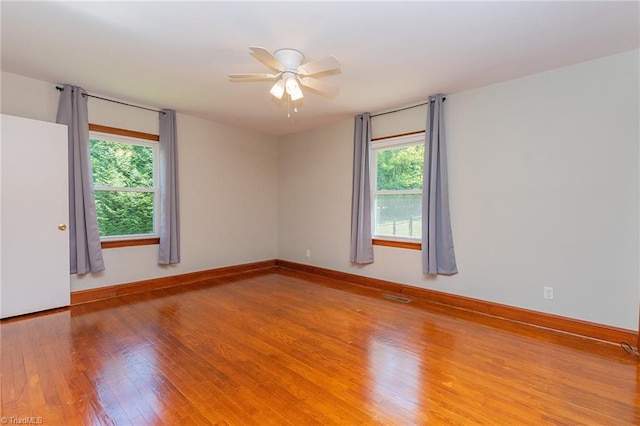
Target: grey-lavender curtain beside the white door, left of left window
[84,237]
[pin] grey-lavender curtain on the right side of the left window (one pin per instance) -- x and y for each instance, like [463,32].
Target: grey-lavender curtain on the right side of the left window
[169,251]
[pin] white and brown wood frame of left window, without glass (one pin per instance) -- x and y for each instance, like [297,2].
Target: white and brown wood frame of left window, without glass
[97,131]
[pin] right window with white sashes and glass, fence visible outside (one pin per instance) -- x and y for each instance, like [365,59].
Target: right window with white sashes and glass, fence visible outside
[396,177]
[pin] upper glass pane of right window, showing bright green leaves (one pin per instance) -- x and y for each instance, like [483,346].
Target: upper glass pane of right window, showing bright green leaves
[400,168]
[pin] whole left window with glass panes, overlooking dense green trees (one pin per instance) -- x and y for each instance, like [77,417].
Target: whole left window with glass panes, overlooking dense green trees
[125,181]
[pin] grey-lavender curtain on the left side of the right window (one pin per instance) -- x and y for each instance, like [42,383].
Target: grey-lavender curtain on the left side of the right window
[361,243]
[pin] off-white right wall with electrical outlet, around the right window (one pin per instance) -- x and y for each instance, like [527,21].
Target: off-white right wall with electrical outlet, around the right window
[544,189]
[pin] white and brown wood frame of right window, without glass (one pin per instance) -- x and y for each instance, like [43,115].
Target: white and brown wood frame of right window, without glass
[377,144]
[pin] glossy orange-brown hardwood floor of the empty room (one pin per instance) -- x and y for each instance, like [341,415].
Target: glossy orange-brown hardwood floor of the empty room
[284,348]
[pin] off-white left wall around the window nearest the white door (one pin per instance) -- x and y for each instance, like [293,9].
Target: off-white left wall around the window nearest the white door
[228,187]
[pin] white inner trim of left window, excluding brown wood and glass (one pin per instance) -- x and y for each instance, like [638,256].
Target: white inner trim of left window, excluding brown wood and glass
[155,149]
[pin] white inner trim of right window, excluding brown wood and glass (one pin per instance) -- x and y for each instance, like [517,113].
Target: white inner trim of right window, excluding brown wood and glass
[395,142]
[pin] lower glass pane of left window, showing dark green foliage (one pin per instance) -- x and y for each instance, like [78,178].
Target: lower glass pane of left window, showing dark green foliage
[124,213]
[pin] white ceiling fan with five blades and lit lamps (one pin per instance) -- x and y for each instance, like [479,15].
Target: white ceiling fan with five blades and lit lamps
[292,72]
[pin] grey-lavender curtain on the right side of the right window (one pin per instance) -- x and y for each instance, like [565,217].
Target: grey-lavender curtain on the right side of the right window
[438,256]
